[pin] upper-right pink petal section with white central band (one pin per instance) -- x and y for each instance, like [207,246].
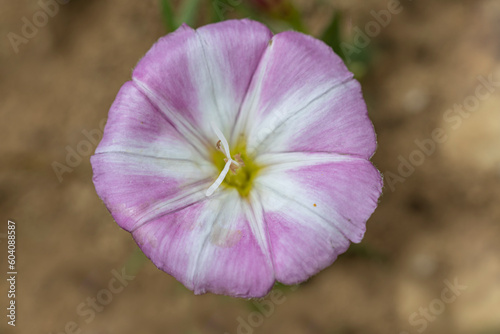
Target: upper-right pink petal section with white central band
[304,98]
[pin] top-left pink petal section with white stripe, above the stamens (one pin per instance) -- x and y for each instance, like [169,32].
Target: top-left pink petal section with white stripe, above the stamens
[197,77]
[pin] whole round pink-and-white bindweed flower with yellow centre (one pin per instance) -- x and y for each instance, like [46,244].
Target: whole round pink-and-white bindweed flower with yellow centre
[237,158]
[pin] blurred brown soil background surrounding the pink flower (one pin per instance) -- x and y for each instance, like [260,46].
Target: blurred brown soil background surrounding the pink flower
[430,260]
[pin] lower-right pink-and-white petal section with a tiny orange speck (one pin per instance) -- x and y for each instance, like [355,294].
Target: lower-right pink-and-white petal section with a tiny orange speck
[315,204]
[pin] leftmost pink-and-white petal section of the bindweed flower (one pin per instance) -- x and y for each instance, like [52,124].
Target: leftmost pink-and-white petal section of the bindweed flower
[143,167]
